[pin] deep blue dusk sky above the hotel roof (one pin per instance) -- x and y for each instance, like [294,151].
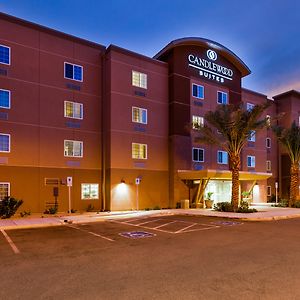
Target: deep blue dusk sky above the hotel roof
[264,34]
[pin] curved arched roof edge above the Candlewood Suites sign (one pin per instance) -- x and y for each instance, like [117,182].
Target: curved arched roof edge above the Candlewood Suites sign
[238,63]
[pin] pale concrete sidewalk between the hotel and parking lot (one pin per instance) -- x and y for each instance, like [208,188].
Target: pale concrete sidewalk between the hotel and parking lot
[265,213]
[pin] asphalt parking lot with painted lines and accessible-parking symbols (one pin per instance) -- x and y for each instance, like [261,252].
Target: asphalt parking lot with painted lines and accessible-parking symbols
[162,257]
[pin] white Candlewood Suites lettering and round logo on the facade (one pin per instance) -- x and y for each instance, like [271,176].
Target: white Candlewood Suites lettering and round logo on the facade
[208,68]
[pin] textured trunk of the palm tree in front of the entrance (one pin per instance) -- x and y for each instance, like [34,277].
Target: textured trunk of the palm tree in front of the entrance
[235,163]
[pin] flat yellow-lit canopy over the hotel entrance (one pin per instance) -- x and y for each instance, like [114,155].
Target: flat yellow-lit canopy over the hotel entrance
[220,175]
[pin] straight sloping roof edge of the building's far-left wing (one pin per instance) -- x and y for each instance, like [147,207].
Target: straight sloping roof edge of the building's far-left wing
[36,26]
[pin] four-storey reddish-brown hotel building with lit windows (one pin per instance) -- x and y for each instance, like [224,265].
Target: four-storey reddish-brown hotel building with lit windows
[105,127]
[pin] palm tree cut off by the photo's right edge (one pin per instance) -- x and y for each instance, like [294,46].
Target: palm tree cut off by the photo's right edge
[290,139]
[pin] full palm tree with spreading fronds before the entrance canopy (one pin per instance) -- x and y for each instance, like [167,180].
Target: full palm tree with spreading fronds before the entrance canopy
[235,125]
